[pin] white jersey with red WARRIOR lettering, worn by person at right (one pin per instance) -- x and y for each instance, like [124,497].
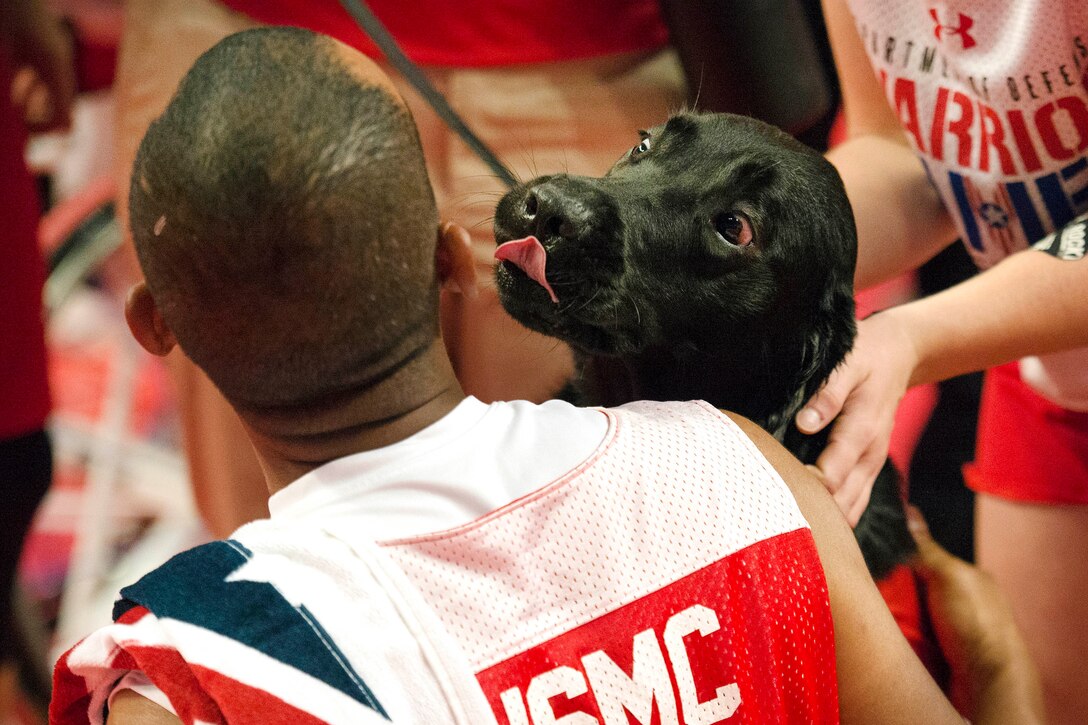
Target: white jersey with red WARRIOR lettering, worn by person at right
[993,96]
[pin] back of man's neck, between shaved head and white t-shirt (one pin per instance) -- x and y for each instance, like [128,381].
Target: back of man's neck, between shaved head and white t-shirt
[291,445]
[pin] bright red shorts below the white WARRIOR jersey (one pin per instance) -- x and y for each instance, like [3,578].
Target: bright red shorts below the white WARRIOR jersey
[1029,449]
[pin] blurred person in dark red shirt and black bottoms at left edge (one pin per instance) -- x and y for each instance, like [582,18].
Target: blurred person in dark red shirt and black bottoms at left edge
[30,39]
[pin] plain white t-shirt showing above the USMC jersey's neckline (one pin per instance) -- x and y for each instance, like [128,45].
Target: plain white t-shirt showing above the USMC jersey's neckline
[412,488]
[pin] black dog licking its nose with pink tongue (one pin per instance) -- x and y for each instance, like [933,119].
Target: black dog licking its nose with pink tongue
[715,261]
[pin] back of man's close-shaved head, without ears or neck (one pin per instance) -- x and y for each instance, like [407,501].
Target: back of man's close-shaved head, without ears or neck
[285,220]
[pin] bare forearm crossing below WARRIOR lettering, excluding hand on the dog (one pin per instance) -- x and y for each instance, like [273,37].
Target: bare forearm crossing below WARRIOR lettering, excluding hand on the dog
[1031,304]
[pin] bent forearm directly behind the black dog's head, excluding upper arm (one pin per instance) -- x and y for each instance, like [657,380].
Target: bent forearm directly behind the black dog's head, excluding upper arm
[901,222]
